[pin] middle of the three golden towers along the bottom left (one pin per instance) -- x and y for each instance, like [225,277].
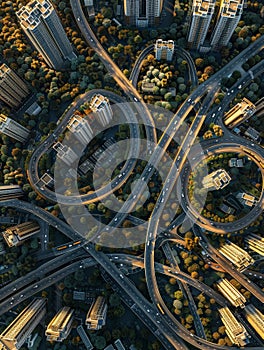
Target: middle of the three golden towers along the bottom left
[60,326]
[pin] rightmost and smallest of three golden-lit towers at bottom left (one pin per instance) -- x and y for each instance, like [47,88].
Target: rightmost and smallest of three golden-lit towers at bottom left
[96,315]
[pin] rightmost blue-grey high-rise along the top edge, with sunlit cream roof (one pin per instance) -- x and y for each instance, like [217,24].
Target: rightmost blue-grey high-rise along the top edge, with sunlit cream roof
[227,21]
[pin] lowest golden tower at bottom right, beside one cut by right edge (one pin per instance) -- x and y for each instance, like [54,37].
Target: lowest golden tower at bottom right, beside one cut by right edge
[235,330]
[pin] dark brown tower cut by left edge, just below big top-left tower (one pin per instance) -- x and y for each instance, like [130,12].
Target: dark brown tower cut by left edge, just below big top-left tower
[13,90]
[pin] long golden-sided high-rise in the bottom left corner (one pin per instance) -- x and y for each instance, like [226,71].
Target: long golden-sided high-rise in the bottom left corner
[15,335]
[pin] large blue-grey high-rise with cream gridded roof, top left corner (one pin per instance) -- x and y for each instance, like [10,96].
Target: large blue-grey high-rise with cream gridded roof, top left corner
[42,25]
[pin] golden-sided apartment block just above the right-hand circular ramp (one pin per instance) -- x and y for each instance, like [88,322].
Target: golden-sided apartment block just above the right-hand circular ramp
[239,113]
